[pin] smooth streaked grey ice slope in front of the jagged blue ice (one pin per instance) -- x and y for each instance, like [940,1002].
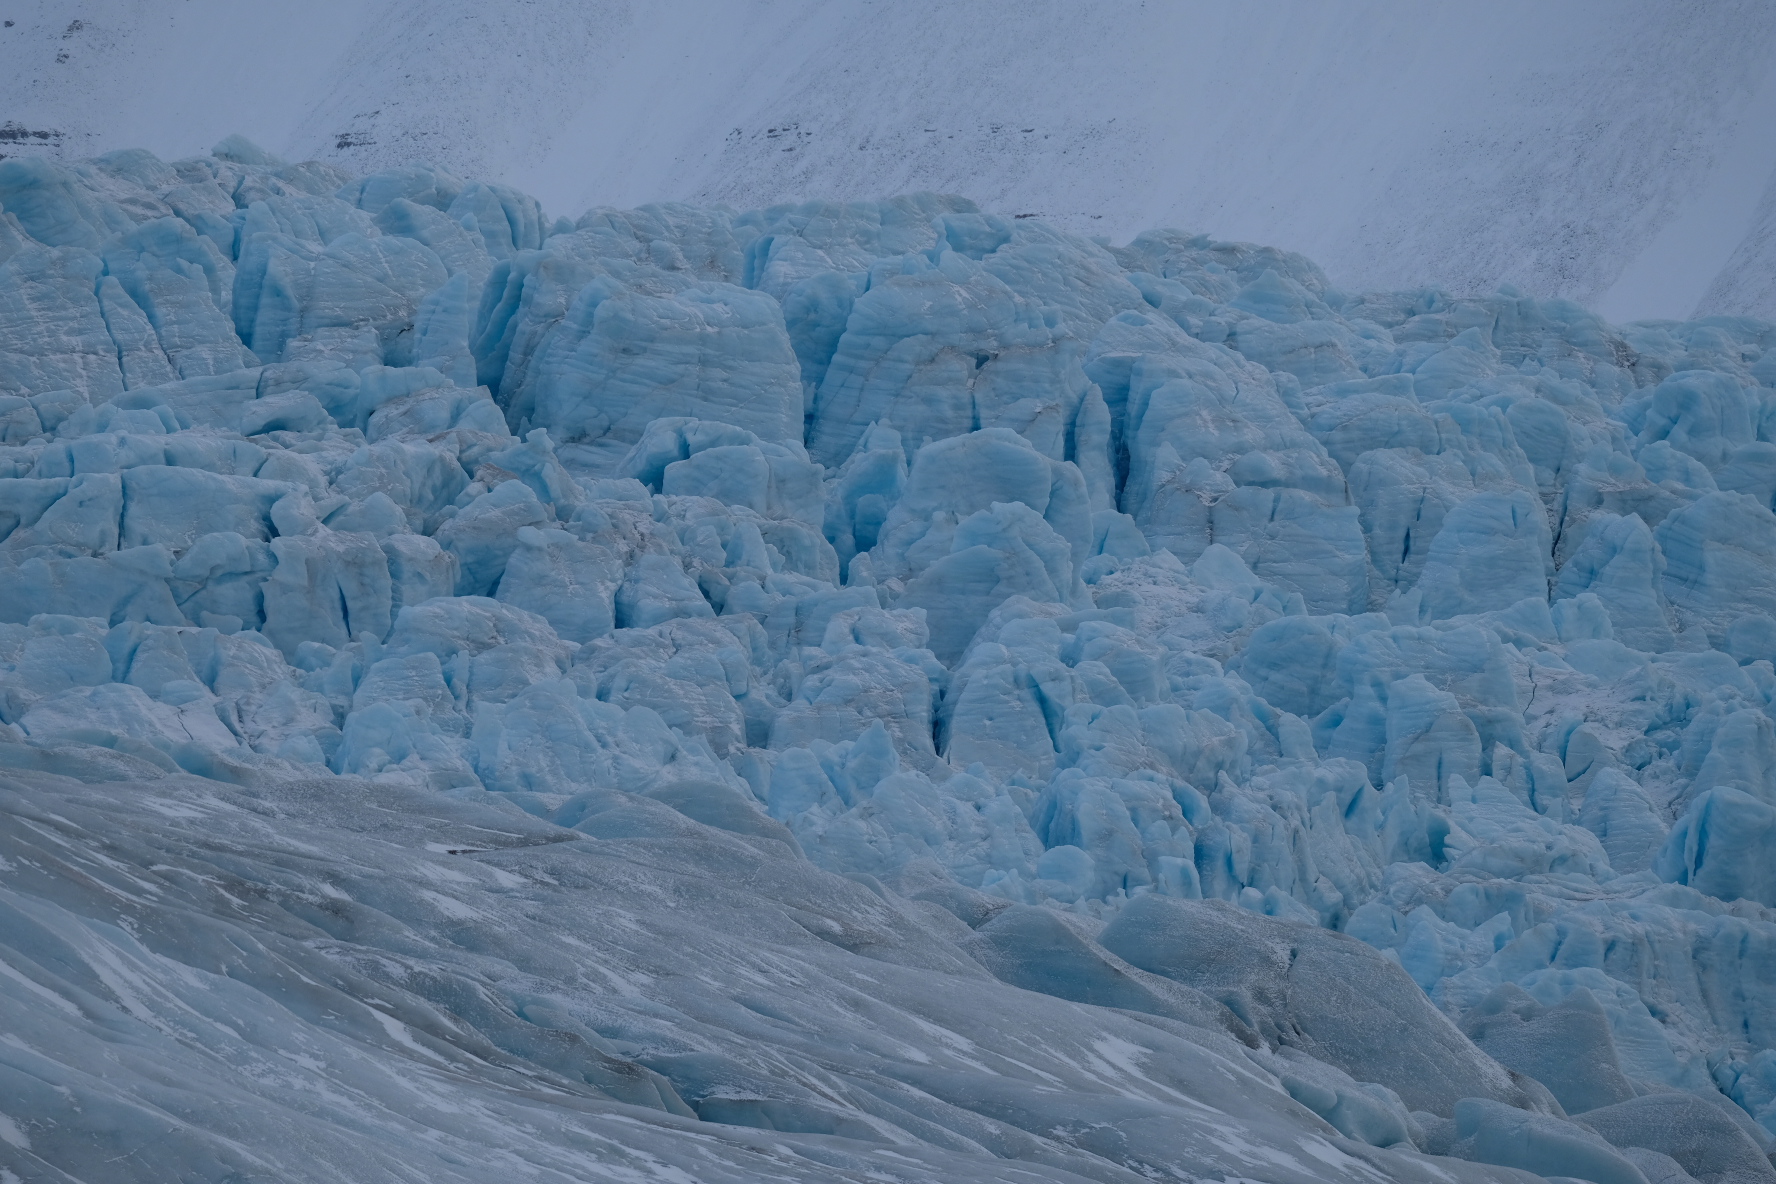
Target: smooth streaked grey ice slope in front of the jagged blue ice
[333,979]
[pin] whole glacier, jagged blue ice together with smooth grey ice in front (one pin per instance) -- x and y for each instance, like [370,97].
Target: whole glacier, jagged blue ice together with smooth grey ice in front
[860,691]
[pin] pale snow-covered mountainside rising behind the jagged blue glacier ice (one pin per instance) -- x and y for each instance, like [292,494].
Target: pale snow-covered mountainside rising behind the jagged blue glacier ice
[1613,154]
